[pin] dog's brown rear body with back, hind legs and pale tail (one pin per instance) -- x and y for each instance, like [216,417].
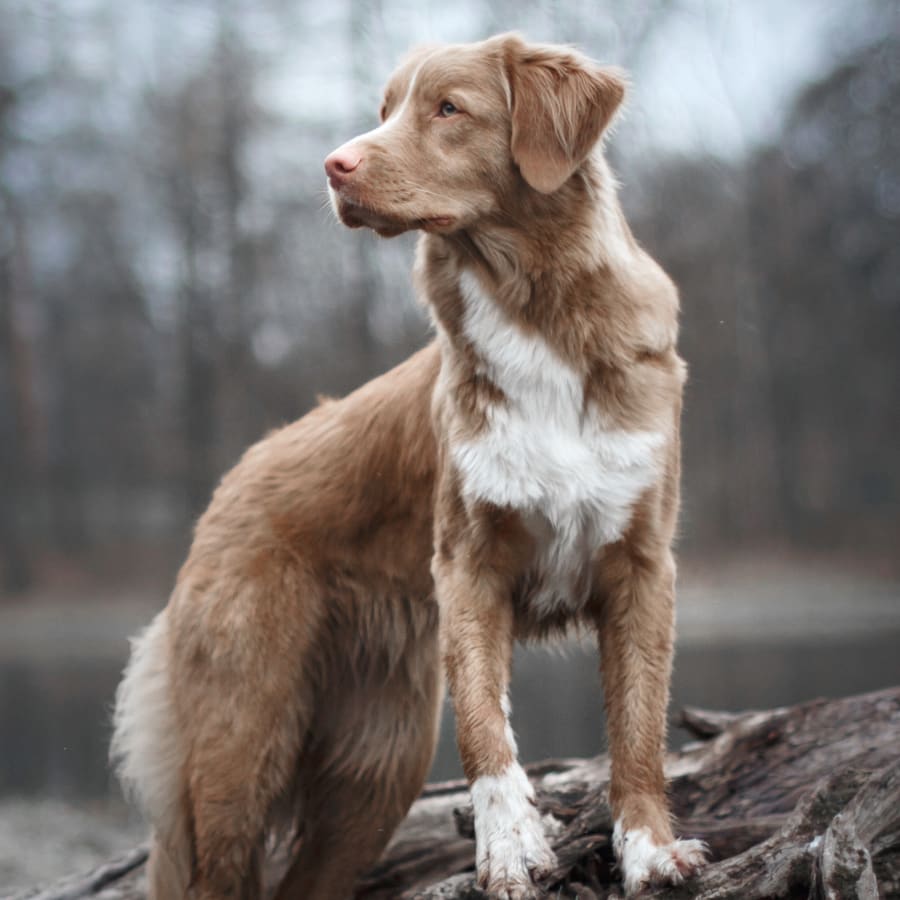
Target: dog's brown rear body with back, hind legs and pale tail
[294,674]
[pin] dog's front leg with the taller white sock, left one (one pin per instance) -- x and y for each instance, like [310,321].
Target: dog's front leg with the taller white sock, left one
[477,637]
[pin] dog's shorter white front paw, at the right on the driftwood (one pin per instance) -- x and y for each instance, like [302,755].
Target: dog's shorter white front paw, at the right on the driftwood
[645,863]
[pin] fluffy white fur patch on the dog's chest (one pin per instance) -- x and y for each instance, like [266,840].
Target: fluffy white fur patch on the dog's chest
[574,480]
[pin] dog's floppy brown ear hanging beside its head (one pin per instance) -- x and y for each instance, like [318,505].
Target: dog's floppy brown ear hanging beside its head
[560,103]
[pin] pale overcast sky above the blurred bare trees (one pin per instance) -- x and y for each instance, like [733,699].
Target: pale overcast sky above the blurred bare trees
[708,76]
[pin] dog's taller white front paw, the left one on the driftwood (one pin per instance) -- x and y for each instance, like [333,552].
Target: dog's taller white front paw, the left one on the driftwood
[511,849]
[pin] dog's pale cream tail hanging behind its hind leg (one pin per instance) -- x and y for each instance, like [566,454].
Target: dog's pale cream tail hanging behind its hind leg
[147,753]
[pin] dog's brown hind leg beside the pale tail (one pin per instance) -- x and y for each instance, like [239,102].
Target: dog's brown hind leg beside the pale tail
[241,662]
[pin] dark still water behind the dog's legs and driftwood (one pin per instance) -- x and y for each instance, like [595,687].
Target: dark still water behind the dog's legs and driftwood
[54,717]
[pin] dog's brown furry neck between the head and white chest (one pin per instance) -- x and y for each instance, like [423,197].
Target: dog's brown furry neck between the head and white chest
[560,265]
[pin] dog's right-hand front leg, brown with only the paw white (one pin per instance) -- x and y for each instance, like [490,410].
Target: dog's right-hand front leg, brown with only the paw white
[636,629]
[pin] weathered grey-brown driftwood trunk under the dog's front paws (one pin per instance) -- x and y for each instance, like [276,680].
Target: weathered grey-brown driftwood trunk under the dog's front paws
[795,802]
